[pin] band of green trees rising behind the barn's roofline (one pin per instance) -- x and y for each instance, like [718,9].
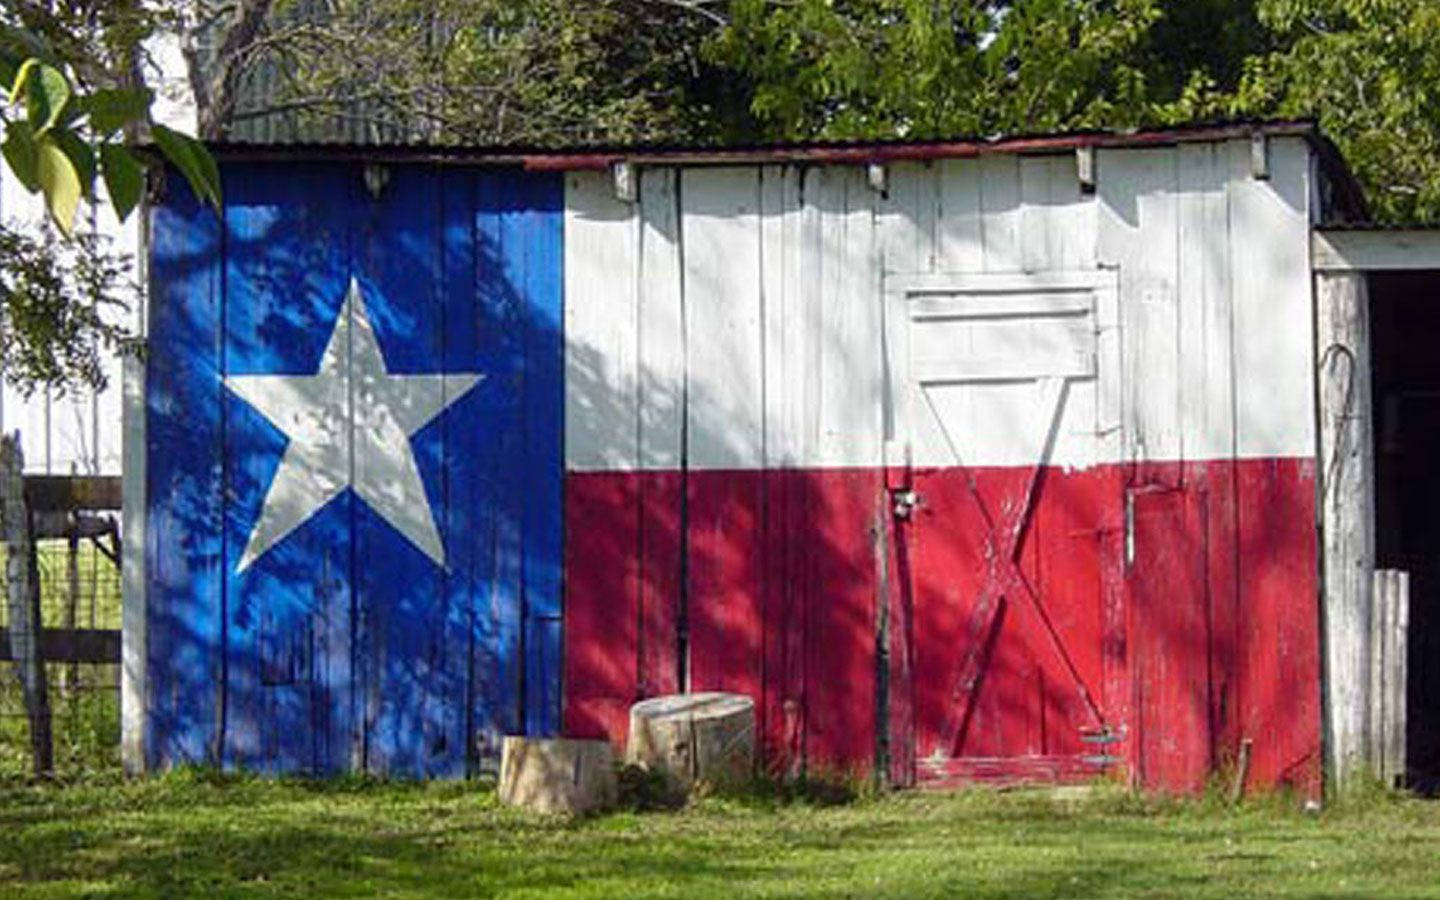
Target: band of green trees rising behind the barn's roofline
[561,73]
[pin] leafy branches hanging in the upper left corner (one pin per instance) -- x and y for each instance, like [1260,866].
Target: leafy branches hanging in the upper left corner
[71,109]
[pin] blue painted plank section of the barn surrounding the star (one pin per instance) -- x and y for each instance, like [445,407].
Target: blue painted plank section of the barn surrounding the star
[345,646]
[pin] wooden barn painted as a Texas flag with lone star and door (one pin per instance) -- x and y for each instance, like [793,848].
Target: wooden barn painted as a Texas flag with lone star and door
[966,460]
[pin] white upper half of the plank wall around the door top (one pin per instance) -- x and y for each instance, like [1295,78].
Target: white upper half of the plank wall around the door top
[768,349]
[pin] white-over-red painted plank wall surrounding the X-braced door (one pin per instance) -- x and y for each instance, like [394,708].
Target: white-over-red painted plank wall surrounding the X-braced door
[726,510]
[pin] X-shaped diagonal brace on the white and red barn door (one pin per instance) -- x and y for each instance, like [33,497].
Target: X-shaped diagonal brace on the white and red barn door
[1004,577]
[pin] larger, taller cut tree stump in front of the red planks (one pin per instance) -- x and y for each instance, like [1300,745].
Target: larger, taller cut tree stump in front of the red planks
[695,738]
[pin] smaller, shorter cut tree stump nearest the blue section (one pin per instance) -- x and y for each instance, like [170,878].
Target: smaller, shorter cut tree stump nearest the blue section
[558,775]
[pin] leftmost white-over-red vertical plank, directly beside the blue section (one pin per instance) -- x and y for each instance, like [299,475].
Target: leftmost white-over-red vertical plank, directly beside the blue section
[601,431]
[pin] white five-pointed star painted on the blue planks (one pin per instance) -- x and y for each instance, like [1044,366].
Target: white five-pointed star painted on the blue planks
[349,426]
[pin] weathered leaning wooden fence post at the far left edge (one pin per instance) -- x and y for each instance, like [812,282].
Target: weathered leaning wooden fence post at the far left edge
[24,597]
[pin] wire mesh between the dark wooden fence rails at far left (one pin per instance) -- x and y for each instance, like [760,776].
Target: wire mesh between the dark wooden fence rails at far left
[80,588]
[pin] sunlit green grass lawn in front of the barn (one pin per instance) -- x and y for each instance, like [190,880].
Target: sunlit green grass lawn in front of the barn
[194,834]
